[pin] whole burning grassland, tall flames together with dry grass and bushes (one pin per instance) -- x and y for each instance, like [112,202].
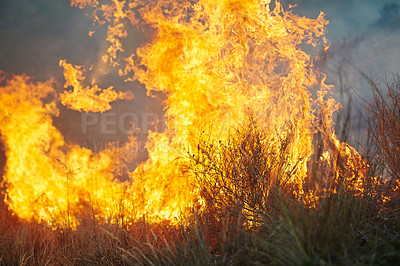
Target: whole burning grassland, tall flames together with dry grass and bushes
[250,170]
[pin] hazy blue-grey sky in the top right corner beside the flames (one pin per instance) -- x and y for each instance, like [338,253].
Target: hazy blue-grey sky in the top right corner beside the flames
[371,29]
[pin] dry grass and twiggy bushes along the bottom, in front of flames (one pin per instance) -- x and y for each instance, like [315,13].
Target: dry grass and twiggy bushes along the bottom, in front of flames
[251,217]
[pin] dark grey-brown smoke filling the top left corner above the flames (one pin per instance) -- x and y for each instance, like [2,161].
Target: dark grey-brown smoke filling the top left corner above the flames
[36,34]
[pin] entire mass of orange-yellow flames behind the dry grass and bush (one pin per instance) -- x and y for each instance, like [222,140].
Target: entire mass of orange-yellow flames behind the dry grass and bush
[215,61]
